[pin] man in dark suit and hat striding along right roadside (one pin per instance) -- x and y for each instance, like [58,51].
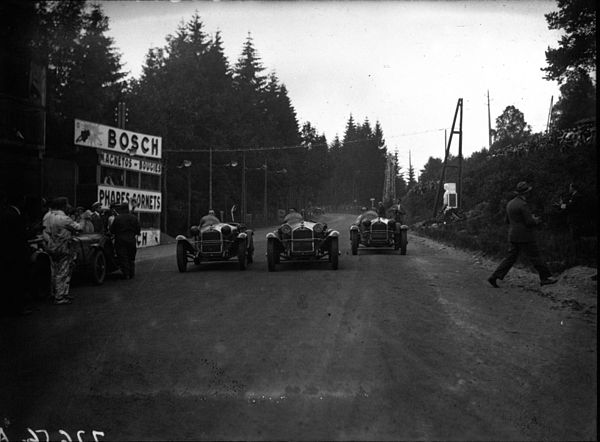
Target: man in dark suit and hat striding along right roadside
[521,237]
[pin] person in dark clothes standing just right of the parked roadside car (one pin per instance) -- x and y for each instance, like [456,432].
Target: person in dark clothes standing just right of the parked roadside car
[125,228]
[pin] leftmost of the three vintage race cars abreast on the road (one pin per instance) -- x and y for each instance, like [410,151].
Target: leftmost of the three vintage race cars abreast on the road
[217,242]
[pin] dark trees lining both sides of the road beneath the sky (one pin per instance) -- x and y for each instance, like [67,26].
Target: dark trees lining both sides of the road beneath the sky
[203,106]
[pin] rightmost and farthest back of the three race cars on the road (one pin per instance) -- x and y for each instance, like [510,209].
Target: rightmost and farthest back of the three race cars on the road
[372,230]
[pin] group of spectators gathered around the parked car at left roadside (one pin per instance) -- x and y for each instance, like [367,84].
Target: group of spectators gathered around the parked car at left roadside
[54,227]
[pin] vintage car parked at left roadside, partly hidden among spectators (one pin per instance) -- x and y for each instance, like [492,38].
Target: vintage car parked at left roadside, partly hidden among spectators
[95,256]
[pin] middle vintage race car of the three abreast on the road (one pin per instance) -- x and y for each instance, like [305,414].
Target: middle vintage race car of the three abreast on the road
[302,240]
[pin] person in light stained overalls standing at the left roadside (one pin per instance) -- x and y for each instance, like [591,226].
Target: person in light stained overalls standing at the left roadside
[59,229]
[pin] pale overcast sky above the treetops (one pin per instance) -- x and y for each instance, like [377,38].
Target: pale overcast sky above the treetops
[402,63]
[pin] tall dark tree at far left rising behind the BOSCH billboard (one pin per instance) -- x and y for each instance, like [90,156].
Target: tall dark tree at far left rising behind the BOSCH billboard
[84,72]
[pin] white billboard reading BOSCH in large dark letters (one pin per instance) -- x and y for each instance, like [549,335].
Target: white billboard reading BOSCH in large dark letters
[116,140]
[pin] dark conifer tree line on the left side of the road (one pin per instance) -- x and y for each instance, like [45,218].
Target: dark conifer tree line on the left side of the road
[203,107]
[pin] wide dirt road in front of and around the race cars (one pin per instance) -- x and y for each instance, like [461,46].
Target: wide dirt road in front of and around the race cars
[388,347]
